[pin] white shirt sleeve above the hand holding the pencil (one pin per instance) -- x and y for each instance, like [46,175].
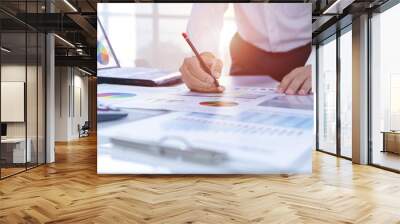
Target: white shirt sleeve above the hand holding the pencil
[205,24]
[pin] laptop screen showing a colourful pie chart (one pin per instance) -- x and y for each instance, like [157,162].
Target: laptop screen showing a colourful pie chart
[105,54]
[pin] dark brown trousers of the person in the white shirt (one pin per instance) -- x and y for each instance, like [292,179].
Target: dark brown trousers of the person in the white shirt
[250,60]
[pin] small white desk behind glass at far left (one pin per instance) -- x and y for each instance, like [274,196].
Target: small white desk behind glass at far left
[18,149]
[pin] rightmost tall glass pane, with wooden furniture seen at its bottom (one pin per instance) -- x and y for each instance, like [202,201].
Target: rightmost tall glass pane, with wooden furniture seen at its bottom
[386,89]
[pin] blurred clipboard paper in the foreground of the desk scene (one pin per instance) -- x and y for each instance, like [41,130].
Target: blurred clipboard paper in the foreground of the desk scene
[249,142]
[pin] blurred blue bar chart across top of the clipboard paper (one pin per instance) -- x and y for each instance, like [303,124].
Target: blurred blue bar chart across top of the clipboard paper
[246,123]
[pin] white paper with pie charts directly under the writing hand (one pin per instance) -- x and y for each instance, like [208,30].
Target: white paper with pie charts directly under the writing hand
[232,101]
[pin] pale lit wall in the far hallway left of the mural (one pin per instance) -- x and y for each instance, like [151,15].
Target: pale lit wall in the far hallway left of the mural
[70,83]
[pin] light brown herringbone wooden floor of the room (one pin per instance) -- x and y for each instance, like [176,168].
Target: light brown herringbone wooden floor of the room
[70,191]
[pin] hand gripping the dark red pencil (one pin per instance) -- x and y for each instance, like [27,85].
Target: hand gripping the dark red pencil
[196,78]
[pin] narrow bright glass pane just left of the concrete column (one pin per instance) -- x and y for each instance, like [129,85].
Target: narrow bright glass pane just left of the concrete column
[346,94]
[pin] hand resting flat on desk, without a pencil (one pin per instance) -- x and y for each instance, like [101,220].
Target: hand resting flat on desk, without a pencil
[298,81]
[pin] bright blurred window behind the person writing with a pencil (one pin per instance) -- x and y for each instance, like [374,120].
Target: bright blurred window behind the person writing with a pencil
[149,35]
